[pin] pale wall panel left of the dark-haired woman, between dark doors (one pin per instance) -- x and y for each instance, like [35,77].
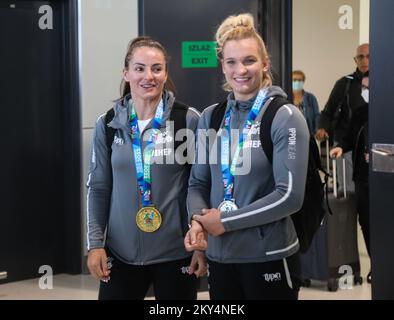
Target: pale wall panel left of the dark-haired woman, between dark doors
[106,27]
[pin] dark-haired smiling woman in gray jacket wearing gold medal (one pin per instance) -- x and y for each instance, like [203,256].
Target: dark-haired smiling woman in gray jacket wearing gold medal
[137,186]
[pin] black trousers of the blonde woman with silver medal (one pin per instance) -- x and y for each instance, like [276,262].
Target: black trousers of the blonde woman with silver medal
[273,280]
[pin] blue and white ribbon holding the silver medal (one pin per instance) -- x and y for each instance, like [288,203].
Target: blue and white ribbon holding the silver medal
[227,170]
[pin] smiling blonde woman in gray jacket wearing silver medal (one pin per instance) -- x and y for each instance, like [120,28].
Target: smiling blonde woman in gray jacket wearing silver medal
[240,205]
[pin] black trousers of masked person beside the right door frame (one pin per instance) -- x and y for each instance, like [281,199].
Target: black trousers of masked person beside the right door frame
[362,199]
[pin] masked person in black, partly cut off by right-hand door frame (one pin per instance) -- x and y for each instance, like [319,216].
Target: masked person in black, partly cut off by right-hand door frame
[356,139]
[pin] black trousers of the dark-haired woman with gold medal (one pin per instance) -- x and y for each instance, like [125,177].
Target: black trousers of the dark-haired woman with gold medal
[170,281]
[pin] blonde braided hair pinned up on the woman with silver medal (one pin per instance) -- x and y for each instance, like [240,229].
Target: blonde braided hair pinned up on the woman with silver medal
[237,28]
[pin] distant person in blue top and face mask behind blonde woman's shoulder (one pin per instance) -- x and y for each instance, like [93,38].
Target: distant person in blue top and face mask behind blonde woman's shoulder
[305,101]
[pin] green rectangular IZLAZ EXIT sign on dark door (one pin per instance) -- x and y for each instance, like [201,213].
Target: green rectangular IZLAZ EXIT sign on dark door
[199,54]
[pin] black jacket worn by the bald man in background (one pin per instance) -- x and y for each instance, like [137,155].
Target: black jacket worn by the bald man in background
[335,118]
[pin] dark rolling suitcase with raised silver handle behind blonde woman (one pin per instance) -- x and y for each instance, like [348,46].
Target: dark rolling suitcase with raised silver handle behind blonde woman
[334,249]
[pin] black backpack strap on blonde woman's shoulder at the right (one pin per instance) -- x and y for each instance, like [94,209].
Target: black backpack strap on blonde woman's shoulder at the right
[266,124]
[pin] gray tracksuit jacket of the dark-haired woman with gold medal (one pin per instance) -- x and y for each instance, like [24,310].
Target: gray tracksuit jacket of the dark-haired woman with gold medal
[112,207]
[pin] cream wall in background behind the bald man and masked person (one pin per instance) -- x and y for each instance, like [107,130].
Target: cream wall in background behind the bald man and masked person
[320,48]
